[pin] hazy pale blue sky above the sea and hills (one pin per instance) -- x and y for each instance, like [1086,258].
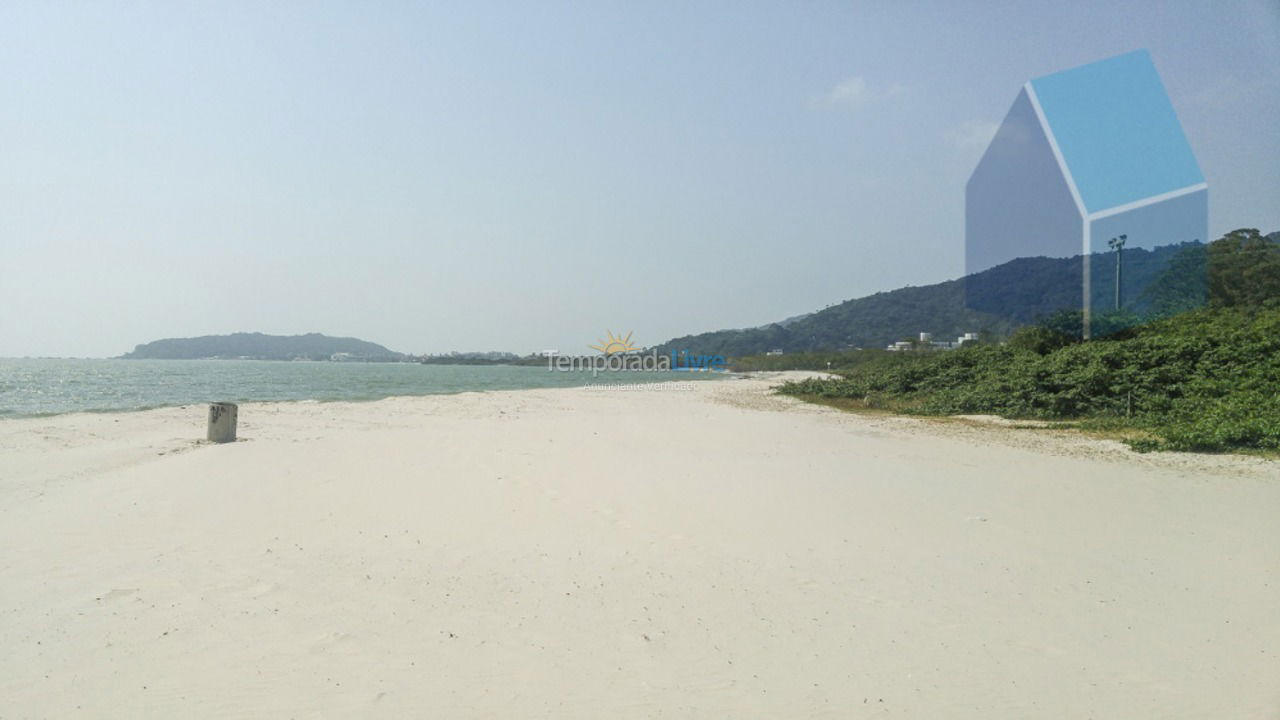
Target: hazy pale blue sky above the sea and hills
[524,176]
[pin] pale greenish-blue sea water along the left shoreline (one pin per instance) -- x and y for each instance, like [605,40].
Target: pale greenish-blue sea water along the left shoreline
[52,386]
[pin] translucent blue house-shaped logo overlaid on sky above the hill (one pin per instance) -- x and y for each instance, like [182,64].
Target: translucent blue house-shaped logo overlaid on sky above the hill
[1085,156]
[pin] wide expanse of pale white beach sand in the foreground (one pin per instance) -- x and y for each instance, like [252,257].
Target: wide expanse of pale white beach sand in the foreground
[707,553]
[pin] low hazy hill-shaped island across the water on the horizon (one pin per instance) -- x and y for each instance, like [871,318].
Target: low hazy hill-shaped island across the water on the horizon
[258,347]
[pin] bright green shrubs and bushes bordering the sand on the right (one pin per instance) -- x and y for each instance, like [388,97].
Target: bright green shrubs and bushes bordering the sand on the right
[1205,380]
